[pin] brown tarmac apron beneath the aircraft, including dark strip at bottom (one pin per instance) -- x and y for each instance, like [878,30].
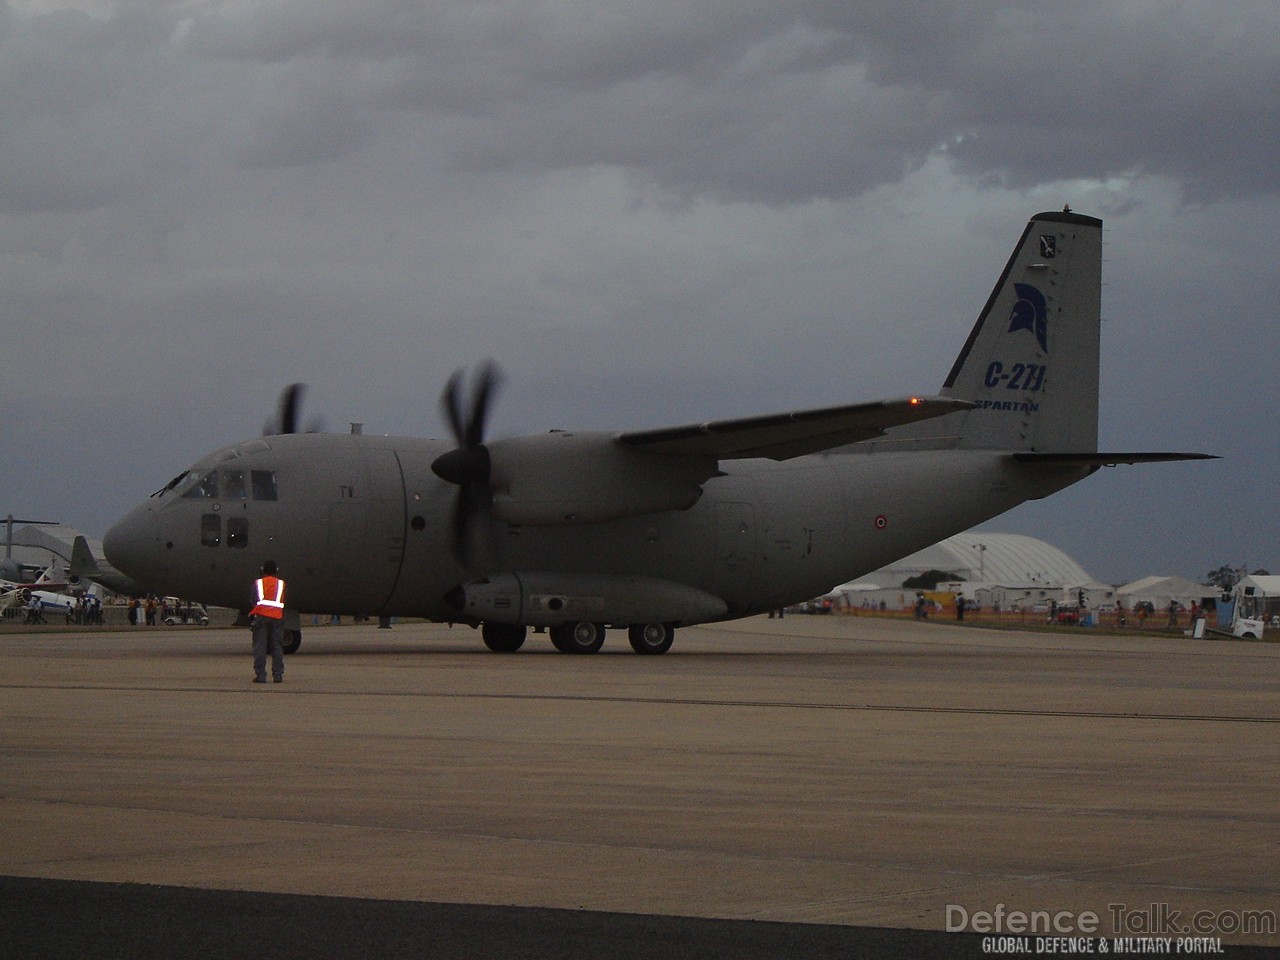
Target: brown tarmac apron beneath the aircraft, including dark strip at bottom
[801,788]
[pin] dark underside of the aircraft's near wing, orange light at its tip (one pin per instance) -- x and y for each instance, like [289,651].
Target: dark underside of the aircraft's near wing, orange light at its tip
[785,436]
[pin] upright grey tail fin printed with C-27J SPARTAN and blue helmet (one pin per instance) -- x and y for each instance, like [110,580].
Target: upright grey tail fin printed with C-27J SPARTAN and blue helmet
[1031,363]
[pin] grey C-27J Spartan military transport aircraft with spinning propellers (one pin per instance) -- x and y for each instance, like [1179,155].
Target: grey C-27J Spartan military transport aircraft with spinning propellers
[648,531]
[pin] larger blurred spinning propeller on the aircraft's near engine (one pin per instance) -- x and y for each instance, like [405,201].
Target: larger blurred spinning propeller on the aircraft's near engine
[469,465]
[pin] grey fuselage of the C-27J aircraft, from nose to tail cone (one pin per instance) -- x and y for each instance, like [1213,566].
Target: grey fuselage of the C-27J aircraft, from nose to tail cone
[360,525]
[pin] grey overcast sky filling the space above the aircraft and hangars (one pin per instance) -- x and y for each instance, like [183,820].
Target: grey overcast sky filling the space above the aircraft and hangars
[650,213]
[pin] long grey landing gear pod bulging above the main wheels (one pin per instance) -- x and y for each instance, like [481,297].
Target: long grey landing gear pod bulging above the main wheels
[548,600]
